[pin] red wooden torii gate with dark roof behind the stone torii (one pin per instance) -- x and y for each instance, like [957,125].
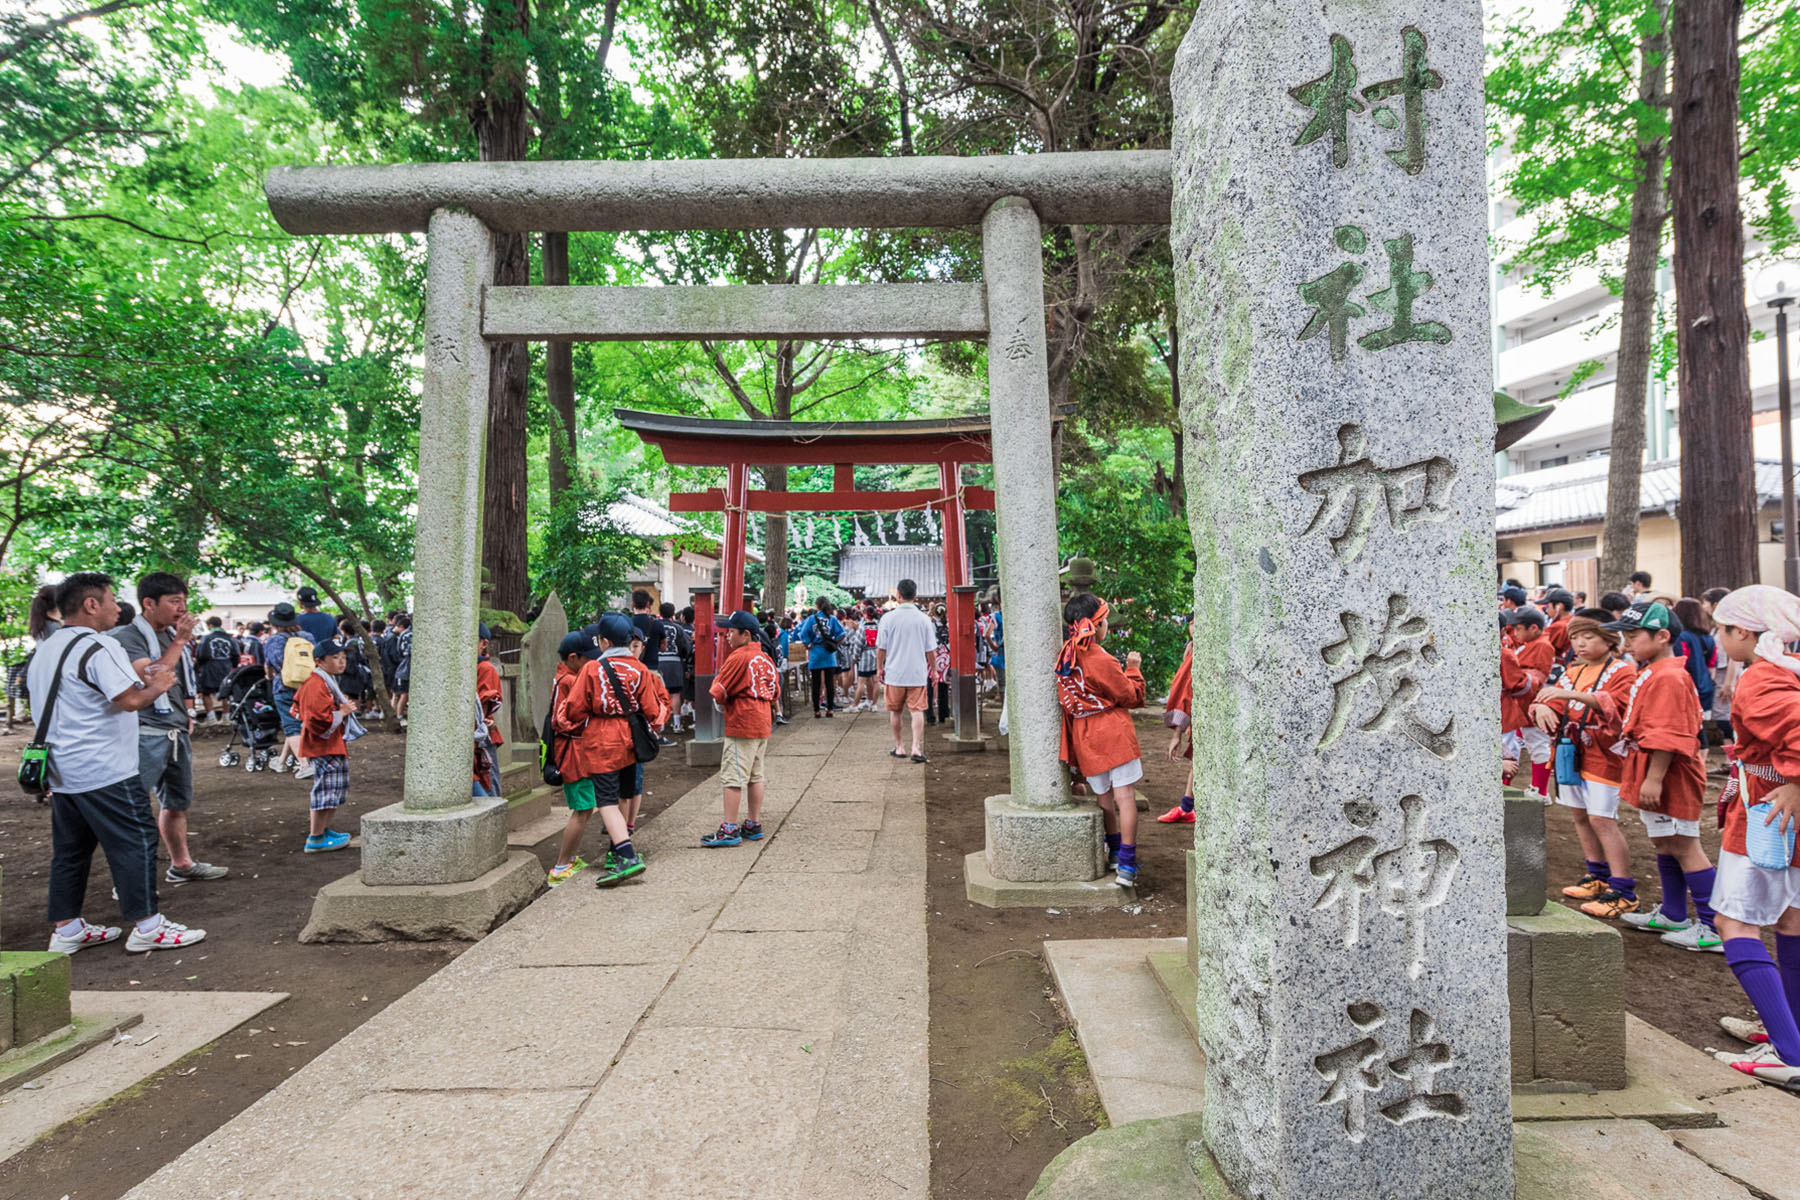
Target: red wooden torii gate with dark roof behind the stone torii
[841,445]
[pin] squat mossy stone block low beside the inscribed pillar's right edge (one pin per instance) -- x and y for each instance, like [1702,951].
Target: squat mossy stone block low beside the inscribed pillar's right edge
[1567,985]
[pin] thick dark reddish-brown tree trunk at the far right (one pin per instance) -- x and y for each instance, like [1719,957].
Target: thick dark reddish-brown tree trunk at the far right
[1713,325]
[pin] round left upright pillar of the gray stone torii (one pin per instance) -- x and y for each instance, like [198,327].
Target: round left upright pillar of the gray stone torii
[447,548]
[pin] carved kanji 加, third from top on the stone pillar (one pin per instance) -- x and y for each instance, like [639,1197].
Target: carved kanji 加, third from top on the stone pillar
[1354,490]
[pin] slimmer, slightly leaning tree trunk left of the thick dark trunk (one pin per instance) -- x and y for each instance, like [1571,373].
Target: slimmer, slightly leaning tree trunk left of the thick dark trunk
[1650,211]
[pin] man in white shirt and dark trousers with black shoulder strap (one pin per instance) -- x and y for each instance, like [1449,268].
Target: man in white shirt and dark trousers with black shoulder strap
[94,773]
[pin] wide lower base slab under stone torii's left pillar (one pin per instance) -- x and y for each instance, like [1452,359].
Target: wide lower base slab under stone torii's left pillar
[354,911]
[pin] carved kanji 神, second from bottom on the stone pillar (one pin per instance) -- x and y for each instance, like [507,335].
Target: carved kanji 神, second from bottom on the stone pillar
[1405,881]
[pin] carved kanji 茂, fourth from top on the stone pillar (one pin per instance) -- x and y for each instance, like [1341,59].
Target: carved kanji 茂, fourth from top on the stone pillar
[1387,663]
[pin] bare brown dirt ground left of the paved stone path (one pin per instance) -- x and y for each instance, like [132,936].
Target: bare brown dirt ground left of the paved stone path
[255,825]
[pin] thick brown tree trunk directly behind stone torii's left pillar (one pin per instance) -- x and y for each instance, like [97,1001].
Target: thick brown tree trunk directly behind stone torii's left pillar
[503,130]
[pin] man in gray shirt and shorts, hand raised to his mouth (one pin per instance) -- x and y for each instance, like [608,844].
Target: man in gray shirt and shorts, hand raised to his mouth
[165,751]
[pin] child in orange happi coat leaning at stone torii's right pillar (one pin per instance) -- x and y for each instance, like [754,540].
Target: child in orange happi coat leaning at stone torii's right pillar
[1099,739]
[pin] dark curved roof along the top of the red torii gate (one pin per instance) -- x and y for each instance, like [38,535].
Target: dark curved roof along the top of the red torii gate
[706,442]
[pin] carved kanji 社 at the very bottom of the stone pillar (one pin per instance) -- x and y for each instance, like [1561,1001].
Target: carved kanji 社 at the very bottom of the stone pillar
[1354,1079]
